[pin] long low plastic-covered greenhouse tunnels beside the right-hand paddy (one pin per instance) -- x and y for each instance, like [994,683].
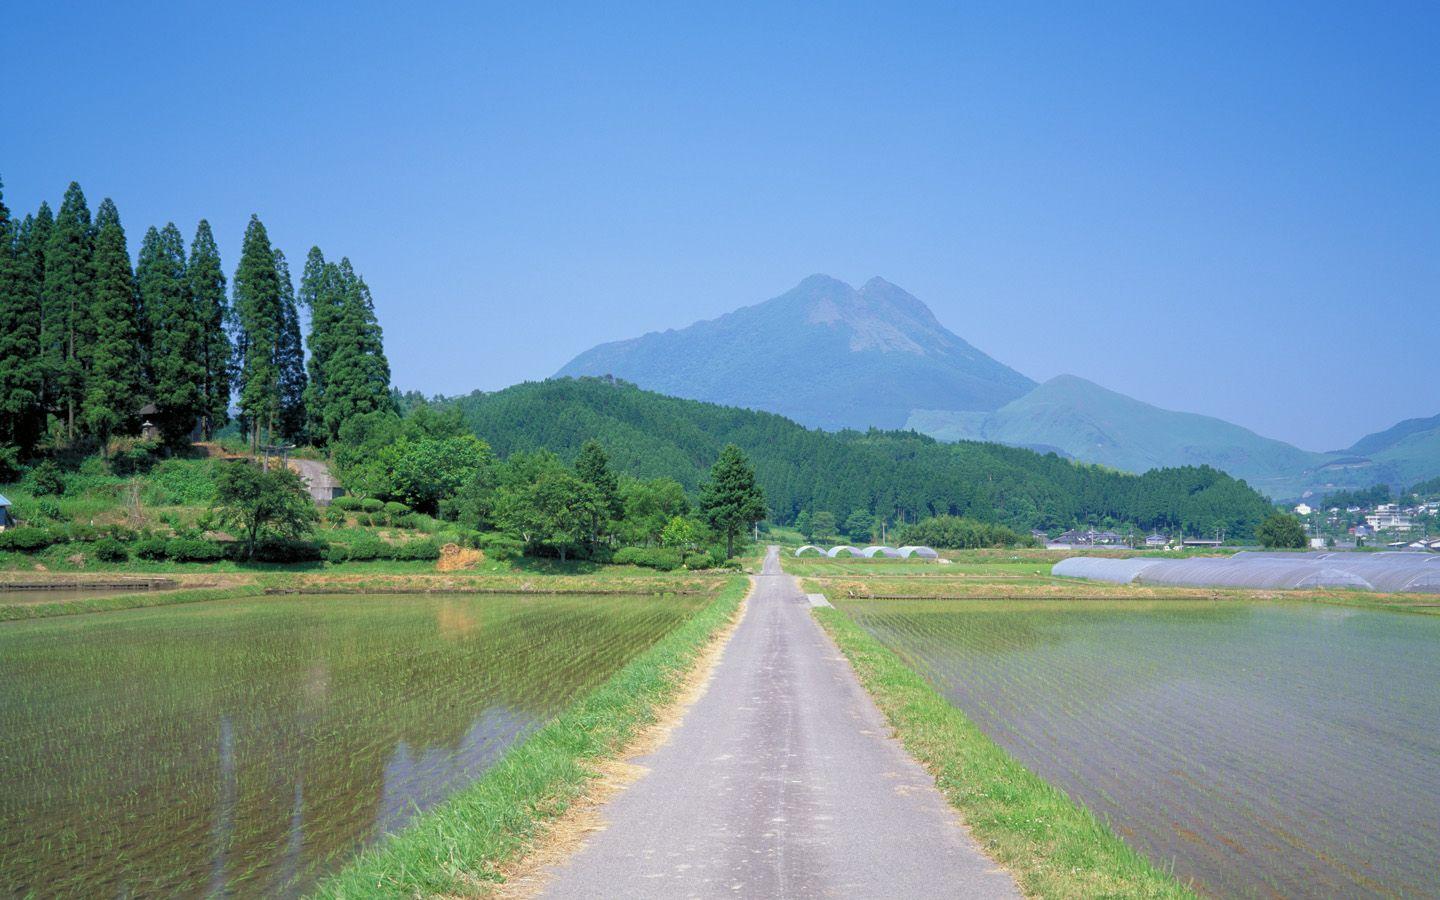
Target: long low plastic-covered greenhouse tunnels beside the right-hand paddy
[1385,572]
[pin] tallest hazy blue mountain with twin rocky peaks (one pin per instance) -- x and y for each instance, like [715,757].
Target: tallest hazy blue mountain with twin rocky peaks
[824,355]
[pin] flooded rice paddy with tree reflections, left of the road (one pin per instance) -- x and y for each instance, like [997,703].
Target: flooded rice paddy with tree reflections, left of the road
[253,747]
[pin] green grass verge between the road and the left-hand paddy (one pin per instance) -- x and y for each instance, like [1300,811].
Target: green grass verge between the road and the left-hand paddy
[459,847]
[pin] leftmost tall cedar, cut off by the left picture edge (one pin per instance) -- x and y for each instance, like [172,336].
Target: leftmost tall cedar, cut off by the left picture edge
[19,335]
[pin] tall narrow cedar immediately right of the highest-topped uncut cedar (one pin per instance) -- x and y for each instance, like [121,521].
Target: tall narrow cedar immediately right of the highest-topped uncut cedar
[113,381]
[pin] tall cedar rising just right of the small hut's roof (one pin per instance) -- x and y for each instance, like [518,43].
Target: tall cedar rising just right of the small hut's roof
[178,336]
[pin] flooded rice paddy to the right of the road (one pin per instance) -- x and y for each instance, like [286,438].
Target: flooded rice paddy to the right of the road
[1259,750]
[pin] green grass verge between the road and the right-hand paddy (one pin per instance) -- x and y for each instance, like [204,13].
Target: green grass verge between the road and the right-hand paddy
[1053,846]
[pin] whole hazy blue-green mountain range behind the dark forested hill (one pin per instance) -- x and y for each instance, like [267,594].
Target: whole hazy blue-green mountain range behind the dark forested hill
[832,356]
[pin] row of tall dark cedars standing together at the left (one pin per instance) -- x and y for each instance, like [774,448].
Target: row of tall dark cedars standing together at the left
[89,338]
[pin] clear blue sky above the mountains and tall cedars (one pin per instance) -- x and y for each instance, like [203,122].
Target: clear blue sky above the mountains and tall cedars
[1230,210]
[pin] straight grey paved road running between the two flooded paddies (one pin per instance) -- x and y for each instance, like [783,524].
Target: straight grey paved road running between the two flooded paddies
[781,783]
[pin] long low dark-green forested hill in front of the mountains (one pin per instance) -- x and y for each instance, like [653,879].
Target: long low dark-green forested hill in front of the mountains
[891,474]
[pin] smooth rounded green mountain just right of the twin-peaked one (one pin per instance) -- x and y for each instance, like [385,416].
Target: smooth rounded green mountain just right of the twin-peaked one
[1092,424]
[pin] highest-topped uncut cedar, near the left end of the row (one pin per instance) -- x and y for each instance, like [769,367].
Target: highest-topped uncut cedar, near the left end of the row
[66,328]
